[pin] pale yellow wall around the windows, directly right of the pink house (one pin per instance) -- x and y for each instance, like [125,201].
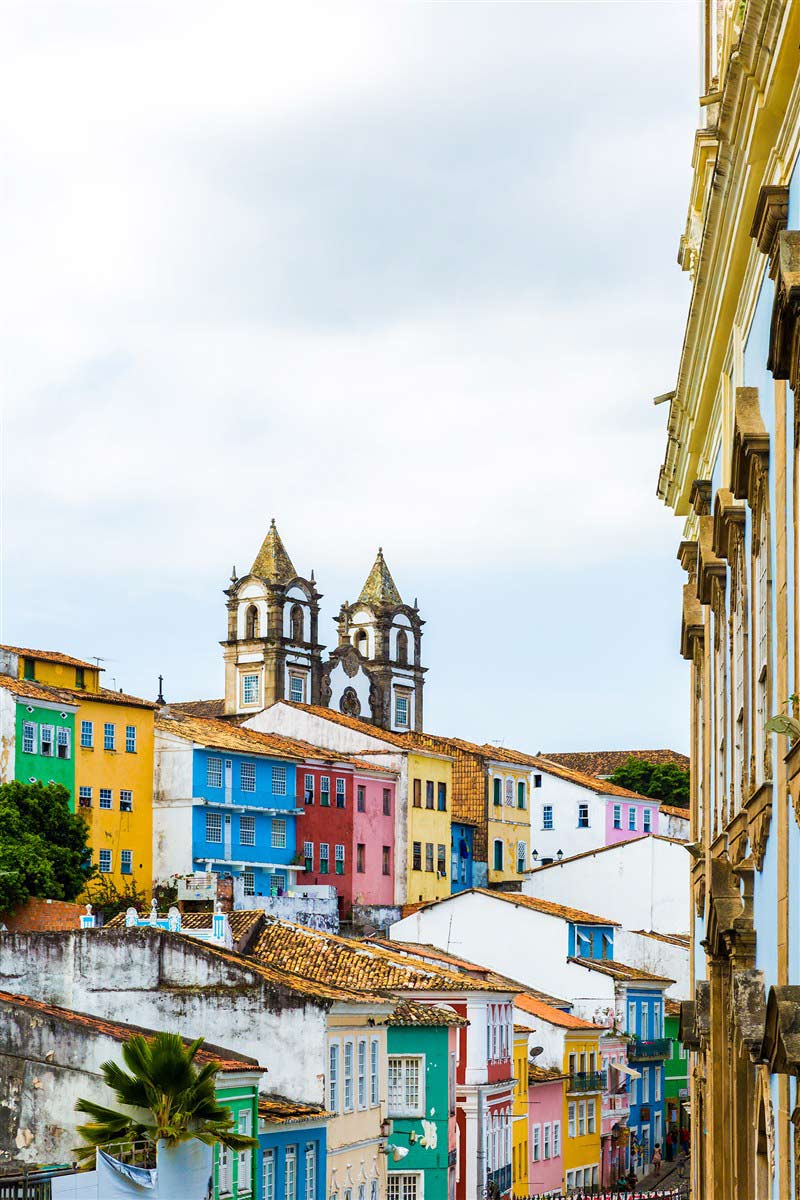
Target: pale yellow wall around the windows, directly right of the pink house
[429,826]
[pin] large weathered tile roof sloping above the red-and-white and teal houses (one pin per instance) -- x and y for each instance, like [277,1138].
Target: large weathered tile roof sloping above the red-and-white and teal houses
[347,963]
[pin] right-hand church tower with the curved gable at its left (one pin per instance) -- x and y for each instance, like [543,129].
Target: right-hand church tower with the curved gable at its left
[376,671]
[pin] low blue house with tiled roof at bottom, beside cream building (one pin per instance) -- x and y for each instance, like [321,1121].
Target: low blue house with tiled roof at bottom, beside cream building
[292,1150]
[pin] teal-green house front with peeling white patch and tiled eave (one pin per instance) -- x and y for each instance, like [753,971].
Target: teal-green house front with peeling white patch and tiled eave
[423,1055]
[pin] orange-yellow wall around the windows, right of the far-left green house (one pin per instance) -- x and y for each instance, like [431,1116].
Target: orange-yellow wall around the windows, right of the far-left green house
[111,829]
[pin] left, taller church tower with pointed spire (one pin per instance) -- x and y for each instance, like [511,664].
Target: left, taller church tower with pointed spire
[273,651]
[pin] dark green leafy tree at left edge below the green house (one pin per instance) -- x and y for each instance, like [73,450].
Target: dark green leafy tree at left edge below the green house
[44,845]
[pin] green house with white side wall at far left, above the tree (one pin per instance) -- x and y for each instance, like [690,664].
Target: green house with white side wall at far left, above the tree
[38,735]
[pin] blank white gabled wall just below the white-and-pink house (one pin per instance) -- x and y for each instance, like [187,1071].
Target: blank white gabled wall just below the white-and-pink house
[642,885]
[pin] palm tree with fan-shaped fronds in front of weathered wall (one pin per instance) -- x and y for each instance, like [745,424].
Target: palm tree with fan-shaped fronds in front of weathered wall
[175,1101]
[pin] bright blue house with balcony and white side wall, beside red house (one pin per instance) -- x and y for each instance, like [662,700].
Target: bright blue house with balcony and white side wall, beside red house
[225,802]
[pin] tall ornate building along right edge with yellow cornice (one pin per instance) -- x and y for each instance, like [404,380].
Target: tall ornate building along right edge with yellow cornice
[731,475]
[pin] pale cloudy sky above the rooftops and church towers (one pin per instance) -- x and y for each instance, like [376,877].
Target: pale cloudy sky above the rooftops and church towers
[393,274]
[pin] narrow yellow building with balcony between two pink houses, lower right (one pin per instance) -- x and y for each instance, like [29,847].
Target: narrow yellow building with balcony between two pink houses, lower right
[582,1106]
